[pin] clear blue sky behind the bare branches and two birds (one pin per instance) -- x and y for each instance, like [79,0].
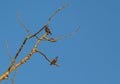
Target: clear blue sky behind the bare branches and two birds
[92,56]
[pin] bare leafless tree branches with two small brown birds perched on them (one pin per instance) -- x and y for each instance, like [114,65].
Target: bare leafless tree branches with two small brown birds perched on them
[14,66]
